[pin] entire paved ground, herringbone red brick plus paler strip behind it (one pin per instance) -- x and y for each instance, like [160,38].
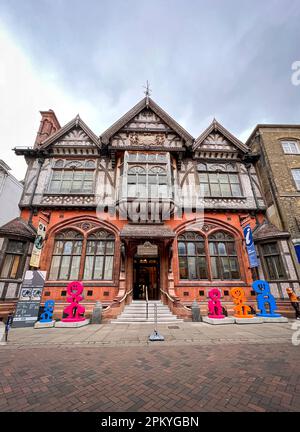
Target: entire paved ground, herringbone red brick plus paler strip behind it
[214,369]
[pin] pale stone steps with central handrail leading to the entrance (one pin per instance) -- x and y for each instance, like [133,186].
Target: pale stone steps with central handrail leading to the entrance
[135,312]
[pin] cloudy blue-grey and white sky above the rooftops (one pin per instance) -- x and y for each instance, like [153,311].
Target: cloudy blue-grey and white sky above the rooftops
[228,59]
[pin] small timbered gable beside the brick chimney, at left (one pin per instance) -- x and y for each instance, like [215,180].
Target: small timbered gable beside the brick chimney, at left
[74,138]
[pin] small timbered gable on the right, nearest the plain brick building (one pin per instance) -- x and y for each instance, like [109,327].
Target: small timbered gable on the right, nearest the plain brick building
[218,143]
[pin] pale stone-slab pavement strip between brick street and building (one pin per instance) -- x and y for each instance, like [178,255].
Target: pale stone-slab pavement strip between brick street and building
[181,333]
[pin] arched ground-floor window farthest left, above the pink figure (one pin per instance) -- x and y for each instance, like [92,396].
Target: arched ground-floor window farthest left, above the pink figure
[66,256]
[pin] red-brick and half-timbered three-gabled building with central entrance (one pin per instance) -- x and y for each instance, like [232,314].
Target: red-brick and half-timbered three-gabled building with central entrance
[146,205]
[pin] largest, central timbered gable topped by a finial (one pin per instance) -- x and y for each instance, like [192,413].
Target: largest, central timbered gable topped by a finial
[146,126]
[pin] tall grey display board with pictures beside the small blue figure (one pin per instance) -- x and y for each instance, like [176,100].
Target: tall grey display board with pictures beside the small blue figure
[28,306]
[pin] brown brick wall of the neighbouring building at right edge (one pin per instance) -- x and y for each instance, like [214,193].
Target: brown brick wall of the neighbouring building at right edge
[274,169]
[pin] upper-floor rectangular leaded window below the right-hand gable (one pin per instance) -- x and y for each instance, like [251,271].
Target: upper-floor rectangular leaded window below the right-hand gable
[219,181]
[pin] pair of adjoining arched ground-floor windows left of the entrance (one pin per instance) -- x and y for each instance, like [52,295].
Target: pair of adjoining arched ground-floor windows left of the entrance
[96,253]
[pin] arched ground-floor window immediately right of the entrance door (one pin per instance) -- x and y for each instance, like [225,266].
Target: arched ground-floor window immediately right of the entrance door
[192,259]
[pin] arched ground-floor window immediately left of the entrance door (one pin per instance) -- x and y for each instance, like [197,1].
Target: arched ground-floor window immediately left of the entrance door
[99,257]
